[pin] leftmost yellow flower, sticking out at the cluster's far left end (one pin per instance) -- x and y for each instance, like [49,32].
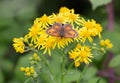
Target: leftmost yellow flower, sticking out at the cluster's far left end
[19,45]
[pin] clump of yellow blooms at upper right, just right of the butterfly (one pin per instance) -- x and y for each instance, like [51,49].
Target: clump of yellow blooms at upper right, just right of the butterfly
[89,30]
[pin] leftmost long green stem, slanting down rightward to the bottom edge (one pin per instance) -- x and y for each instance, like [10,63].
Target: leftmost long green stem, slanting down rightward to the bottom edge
[49,69]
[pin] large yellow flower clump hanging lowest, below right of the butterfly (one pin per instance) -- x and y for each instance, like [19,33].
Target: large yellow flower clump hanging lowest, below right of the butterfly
[81,54]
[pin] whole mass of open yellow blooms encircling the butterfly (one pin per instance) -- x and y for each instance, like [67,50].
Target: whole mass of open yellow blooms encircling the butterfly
[38,39]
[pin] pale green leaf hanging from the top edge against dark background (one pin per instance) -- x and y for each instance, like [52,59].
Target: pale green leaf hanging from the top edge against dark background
[97,3]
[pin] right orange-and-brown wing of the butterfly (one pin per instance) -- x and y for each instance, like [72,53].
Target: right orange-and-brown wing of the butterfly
[69,32]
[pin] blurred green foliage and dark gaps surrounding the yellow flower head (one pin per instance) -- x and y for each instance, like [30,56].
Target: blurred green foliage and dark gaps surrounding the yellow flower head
[16,16]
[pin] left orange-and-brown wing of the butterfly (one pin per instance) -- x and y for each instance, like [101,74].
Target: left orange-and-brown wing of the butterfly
[55,30]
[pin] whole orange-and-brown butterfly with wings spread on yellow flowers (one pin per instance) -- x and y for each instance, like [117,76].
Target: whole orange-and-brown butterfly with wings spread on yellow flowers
[59,30]
